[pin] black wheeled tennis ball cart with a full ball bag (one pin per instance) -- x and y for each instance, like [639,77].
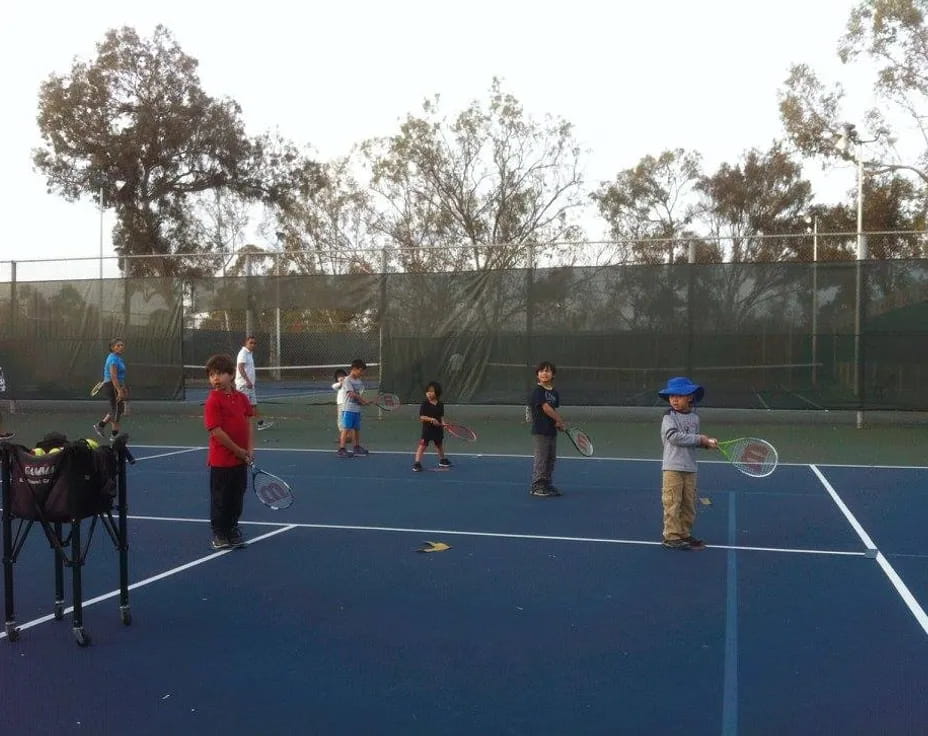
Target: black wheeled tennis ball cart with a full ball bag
[60,489]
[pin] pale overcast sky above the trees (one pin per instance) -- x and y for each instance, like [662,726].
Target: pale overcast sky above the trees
[634,78]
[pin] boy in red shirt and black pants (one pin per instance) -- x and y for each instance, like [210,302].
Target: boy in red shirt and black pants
[231,448]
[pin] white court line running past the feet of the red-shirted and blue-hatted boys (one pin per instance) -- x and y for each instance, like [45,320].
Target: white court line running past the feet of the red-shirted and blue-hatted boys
[501,535]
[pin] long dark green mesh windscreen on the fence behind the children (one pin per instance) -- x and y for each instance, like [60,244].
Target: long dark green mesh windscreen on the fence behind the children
[834,335]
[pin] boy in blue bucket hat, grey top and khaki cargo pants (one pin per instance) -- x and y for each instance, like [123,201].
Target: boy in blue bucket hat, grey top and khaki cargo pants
[680,437]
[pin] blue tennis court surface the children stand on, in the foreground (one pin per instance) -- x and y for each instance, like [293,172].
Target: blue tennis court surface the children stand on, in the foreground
[546,616]
